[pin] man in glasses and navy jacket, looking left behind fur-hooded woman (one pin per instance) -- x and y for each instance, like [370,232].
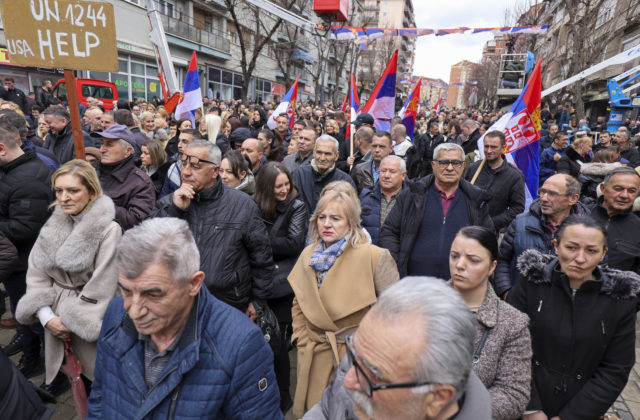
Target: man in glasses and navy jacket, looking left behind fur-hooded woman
[536,228]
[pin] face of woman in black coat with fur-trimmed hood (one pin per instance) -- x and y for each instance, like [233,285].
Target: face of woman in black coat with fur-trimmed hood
[579,251]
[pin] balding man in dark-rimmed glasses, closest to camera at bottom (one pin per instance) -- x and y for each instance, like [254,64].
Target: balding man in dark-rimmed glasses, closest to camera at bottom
[379,379]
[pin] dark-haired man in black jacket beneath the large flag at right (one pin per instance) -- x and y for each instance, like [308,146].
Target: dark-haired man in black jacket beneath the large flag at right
[503,181]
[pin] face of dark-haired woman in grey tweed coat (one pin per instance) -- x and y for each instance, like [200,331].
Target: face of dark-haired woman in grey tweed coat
[470,264]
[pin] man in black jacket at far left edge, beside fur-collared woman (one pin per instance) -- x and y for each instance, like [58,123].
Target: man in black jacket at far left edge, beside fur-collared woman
[25,194]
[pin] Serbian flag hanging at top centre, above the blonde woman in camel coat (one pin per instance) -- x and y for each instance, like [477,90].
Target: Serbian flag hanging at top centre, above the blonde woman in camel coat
[381,102]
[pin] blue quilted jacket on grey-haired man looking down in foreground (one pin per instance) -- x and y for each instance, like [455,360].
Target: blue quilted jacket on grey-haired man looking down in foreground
[220,369]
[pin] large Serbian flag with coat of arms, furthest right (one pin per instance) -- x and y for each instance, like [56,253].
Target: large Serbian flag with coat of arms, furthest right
[521,127]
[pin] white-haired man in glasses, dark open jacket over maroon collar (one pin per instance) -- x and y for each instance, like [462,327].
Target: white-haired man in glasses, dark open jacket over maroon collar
[427,216]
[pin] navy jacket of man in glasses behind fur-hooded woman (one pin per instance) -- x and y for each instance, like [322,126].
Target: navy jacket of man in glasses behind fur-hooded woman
[527,231]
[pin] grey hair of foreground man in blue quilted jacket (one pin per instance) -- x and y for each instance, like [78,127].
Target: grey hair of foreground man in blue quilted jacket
[163,240]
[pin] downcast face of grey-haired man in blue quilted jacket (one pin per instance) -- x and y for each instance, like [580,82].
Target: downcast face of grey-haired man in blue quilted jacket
[155,303]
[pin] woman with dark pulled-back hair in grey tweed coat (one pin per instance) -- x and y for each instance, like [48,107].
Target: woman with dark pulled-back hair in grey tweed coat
[502,358]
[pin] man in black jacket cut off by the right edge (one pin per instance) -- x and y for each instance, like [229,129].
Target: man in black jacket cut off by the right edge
[613,210]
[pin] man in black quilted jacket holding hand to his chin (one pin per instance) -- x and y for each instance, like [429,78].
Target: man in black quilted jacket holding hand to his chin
[227,226]
